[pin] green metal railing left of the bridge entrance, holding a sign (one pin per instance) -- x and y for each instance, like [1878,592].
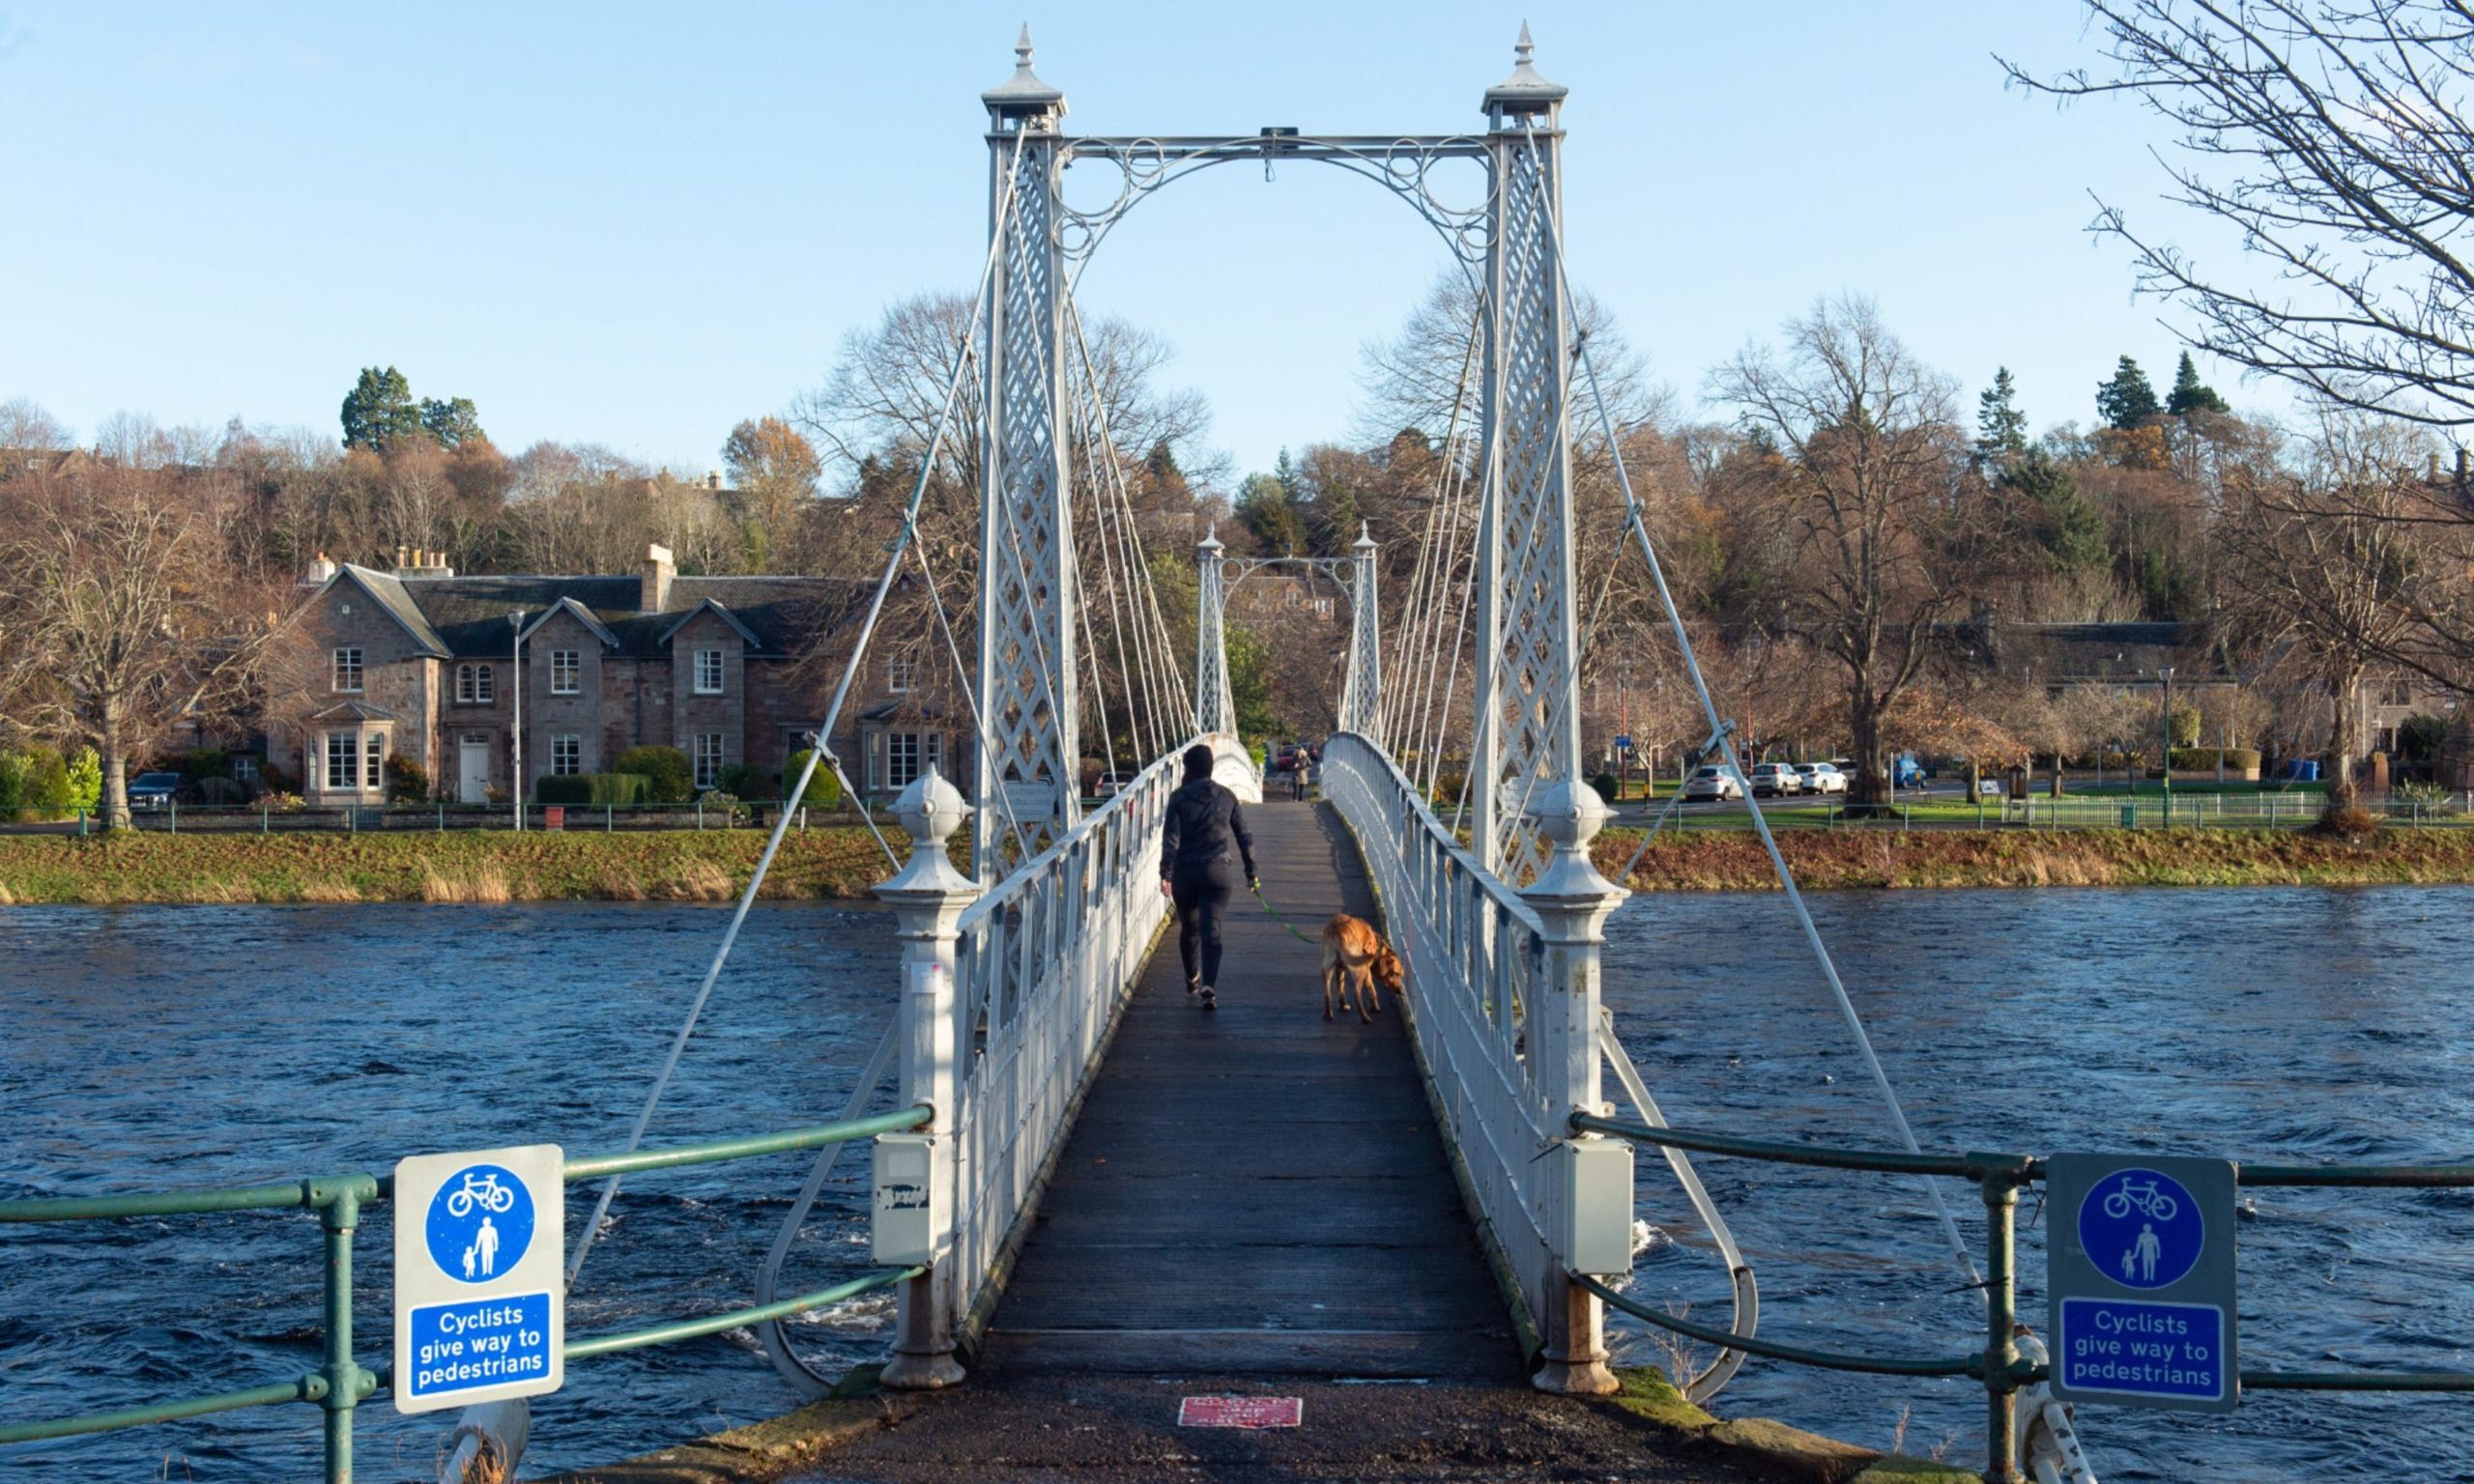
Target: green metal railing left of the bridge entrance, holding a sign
[343,1384]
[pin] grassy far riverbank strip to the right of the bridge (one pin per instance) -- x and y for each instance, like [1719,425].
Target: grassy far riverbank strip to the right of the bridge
[2099,857]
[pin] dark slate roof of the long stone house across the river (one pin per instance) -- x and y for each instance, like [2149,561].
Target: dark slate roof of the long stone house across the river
[781,617]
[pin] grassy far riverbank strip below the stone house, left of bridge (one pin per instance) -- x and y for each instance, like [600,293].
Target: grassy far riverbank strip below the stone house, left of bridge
[459,867]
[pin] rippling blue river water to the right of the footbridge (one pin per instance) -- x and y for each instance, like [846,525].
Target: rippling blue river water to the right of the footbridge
[2262,1025]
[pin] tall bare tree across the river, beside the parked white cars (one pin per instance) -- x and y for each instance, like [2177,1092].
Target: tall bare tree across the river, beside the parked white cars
[1874,526]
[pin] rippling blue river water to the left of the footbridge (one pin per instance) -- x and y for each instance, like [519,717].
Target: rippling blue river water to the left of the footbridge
[155,1050]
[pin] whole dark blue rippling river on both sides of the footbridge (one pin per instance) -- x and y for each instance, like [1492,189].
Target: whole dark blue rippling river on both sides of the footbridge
[147,1050]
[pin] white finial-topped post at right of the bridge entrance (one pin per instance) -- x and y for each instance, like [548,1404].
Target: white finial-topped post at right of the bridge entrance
[1572,904]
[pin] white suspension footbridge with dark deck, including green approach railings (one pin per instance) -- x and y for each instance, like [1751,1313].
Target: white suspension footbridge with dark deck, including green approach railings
[1124,1191]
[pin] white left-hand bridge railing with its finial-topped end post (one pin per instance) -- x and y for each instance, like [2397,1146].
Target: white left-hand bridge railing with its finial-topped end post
[1008,1000]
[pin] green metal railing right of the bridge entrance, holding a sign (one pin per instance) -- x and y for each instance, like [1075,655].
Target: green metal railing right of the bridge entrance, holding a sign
[2000,1367]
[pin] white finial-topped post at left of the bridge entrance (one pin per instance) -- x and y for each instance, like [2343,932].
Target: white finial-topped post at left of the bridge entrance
[929,899]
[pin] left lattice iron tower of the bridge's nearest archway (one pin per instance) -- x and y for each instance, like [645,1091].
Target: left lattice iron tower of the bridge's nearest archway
[1030,756]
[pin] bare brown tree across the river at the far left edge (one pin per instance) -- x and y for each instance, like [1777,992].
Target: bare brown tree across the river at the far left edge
[122,612]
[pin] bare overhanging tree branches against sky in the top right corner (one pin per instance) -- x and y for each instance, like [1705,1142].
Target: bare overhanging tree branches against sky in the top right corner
[2334,137]
